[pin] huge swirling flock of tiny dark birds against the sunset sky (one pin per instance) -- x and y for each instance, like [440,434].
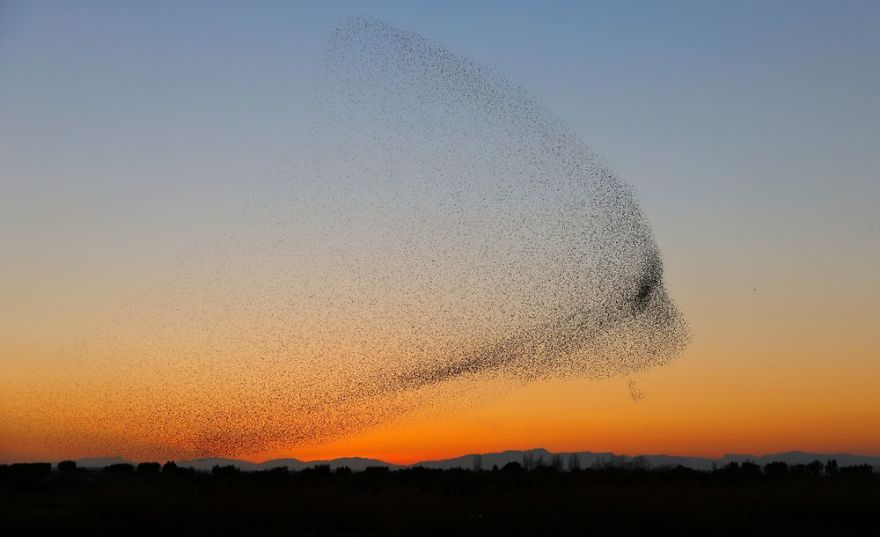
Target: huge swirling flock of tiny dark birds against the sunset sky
[436,235]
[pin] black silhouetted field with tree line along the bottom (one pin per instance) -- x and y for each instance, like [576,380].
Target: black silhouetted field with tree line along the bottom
[737,499]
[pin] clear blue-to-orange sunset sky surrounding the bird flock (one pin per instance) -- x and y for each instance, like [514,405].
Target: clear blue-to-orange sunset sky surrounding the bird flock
[130,133]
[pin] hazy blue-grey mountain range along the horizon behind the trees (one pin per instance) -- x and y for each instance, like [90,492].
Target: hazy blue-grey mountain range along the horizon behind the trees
[585,459]
